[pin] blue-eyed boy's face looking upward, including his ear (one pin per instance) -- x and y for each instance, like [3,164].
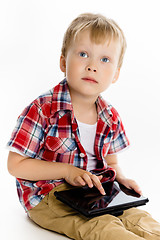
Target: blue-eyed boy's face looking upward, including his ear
[90,68]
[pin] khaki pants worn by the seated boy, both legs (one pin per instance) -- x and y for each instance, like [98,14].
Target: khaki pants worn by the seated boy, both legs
[134,224]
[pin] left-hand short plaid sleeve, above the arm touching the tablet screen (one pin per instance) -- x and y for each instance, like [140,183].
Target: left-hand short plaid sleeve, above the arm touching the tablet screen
[28,133]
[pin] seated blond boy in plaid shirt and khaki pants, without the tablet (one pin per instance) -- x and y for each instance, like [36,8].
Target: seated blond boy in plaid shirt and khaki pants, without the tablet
[70,130]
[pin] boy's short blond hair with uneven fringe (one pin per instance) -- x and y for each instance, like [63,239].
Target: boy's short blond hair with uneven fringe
[100,28]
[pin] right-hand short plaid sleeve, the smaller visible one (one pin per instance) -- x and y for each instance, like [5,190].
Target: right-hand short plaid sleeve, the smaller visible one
[119,140]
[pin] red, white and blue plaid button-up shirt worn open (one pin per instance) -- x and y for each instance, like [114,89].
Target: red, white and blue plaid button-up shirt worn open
[47,130]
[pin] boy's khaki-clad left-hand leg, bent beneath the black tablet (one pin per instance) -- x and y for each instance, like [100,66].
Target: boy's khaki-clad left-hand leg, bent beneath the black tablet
[56,216]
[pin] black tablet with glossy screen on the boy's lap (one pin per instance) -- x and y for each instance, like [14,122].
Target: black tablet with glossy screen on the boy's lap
[90,203]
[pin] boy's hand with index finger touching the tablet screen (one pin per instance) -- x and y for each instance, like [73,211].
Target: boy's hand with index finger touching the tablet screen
[79,177]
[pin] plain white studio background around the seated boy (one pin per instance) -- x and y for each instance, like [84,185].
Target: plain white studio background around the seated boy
[31,35]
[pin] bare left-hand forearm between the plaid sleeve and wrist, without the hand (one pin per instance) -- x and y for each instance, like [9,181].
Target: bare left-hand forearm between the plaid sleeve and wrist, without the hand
[35,169]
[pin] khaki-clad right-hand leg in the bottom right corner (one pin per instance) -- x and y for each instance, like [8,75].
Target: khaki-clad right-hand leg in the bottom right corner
[141,223]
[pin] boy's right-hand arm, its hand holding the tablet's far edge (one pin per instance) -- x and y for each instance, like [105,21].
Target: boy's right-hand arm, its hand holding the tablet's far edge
[112,161]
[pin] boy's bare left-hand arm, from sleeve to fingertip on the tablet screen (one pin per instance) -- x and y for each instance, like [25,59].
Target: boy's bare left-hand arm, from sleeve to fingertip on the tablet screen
[36,169]
